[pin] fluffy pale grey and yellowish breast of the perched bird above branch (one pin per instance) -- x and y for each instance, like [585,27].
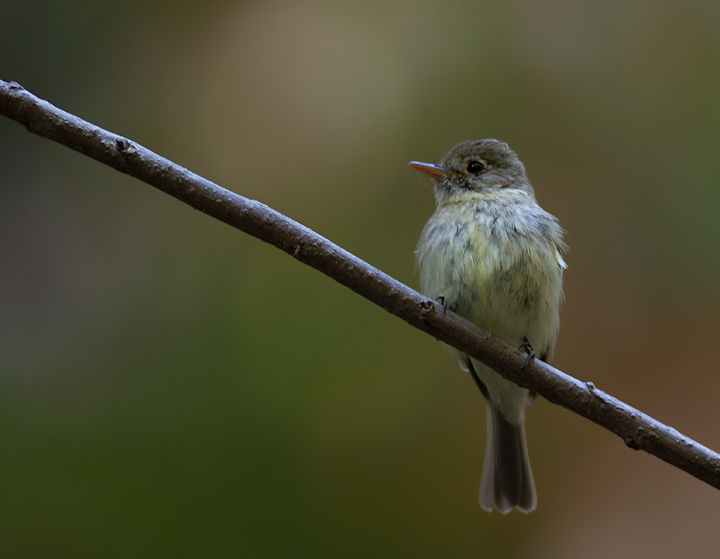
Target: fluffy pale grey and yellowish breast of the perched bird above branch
[500,267]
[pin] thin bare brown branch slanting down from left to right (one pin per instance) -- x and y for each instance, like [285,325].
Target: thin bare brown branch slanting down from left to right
[638,430]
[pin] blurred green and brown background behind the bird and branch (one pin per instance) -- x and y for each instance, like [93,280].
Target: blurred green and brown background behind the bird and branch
[170,387]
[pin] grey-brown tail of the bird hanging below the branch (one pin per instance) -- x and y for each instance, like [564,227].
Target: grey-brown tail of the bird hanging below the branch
[507,481]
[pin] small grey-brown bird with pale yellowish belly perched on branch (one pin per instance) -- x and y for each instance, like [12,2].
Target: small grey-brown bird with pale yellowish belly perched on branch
[494,256]
